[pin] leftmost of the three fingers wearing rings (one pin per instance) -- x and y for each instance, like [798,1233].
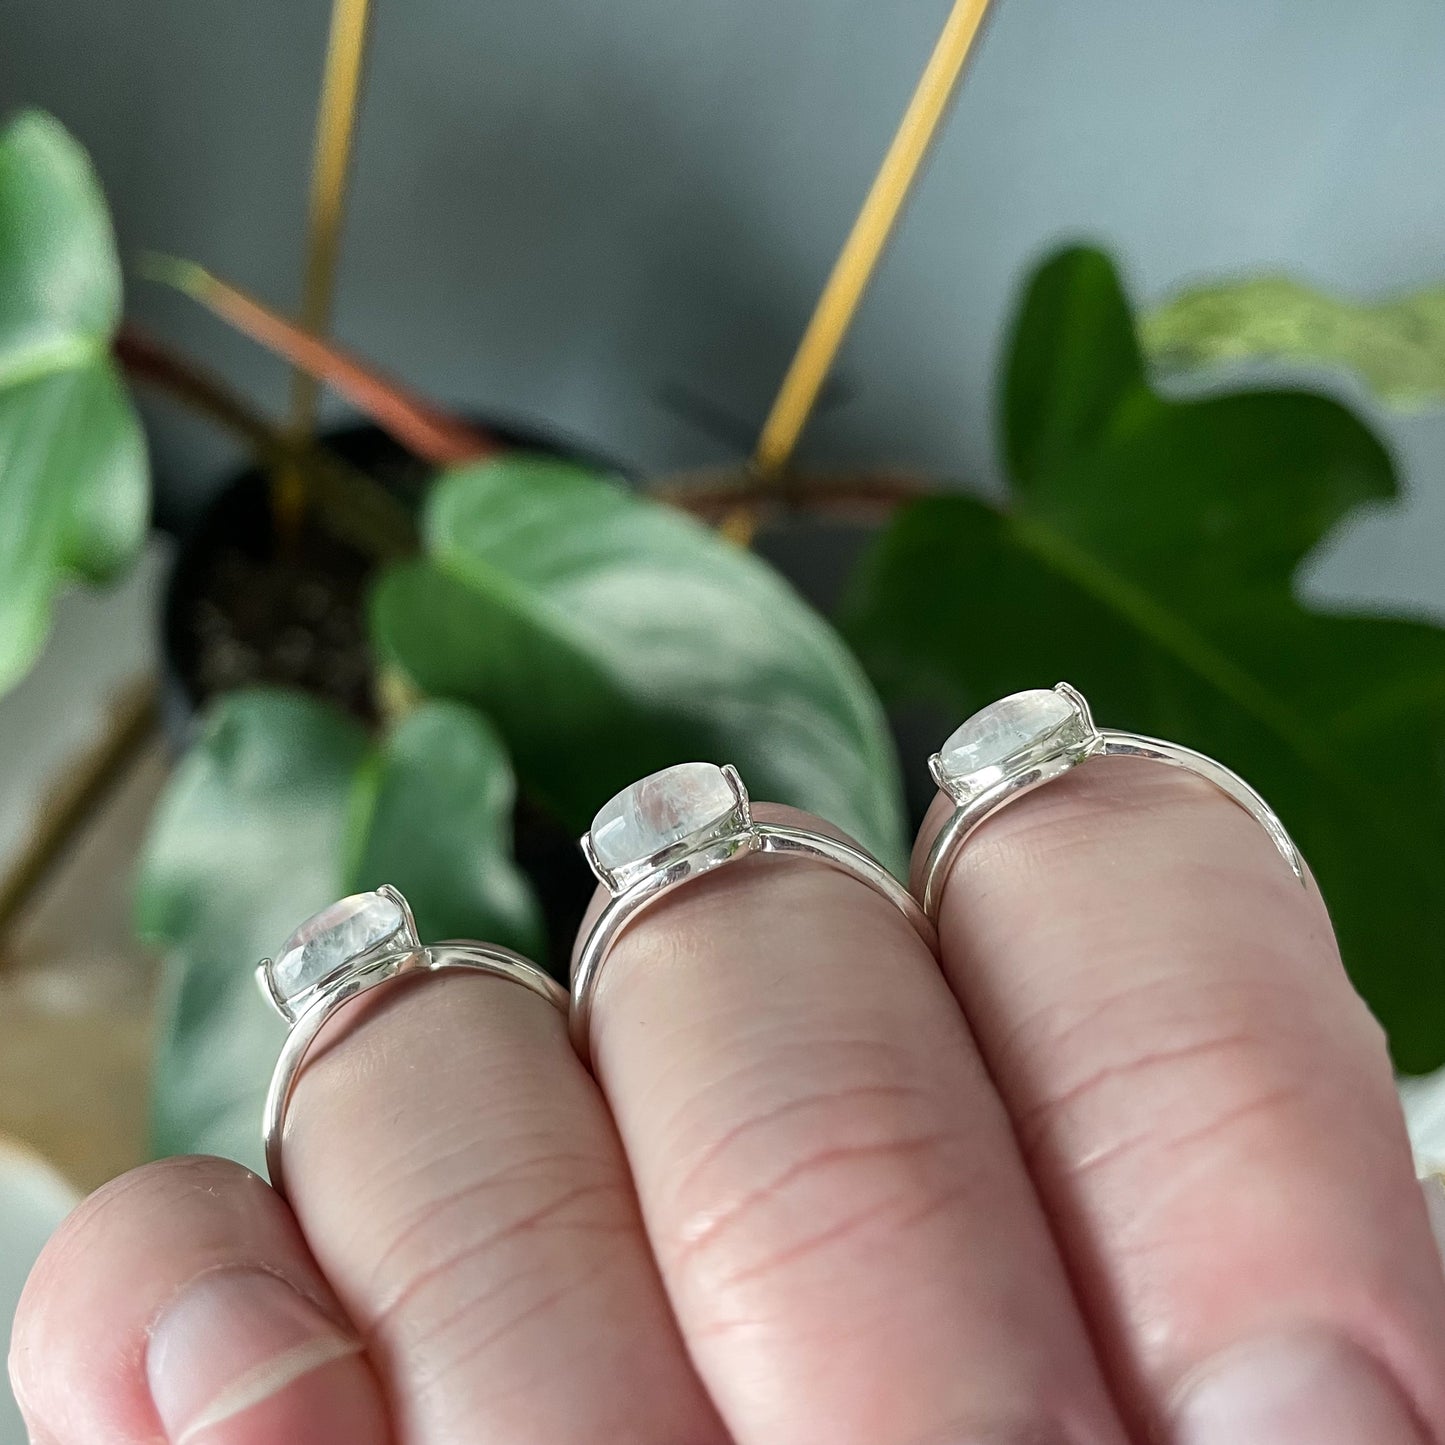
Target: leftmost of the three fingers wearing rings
[457,1176]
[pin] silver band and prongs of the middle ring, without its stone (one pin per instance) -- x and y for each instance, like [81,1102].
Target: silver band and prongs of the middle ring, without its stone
[736,834]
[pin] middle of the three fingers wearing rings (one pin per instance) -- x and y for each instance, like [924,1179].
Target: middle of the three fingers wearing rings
[845,1225]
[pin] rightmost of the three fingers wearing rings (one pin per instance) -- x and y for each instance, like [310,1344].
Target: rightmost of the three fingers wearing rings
[1207,1109]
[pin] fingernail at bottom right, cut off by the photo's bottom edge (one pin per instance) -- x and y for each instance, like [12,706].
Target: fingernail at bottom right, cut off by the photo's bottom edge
[1295,1391]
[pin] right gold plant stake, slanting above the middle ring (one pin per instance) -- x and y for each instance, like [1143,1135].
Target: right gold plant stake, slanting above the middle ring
[871,235]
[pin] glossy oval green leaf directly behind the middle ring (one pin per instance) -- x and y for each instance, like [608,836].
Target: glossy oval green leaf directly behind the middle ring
[611,637]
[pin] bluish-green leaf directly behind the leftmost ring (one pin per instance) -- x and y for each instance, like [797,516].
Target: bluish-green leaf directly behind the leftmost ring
[282,807]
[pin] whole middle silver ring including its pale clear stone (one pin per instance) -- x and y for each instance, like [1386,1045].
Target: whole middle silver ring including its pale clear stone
[674,827]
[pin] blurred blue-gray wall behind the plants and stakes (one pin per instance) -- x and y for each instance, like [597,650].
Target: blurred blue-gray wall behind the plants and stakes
[566,212]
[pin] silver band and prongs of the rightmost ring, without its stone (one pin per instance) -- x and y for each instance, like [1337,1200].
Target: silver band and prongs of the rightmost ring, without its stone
[1001,782]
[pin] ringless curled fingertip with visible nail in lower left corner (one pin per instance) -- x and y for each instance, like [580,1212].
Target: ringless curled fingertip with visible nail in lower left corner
[180,1304]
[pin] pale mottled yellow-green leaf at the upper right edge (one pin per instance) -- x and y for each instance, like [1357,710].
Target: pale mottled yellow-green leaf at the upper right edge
[1397,346]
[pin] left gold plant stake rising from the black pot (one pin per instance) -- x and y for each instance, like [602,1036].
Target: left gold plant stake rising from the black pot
[336,128]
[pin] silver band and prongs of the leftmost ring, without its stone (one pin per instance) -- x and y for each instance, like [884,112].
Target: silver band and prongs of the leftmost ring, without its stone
[366,975]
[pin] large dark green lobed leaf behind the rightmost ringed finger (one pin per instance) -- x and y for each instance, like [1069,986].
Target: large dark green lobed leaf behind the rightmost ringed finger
[1148,556]
